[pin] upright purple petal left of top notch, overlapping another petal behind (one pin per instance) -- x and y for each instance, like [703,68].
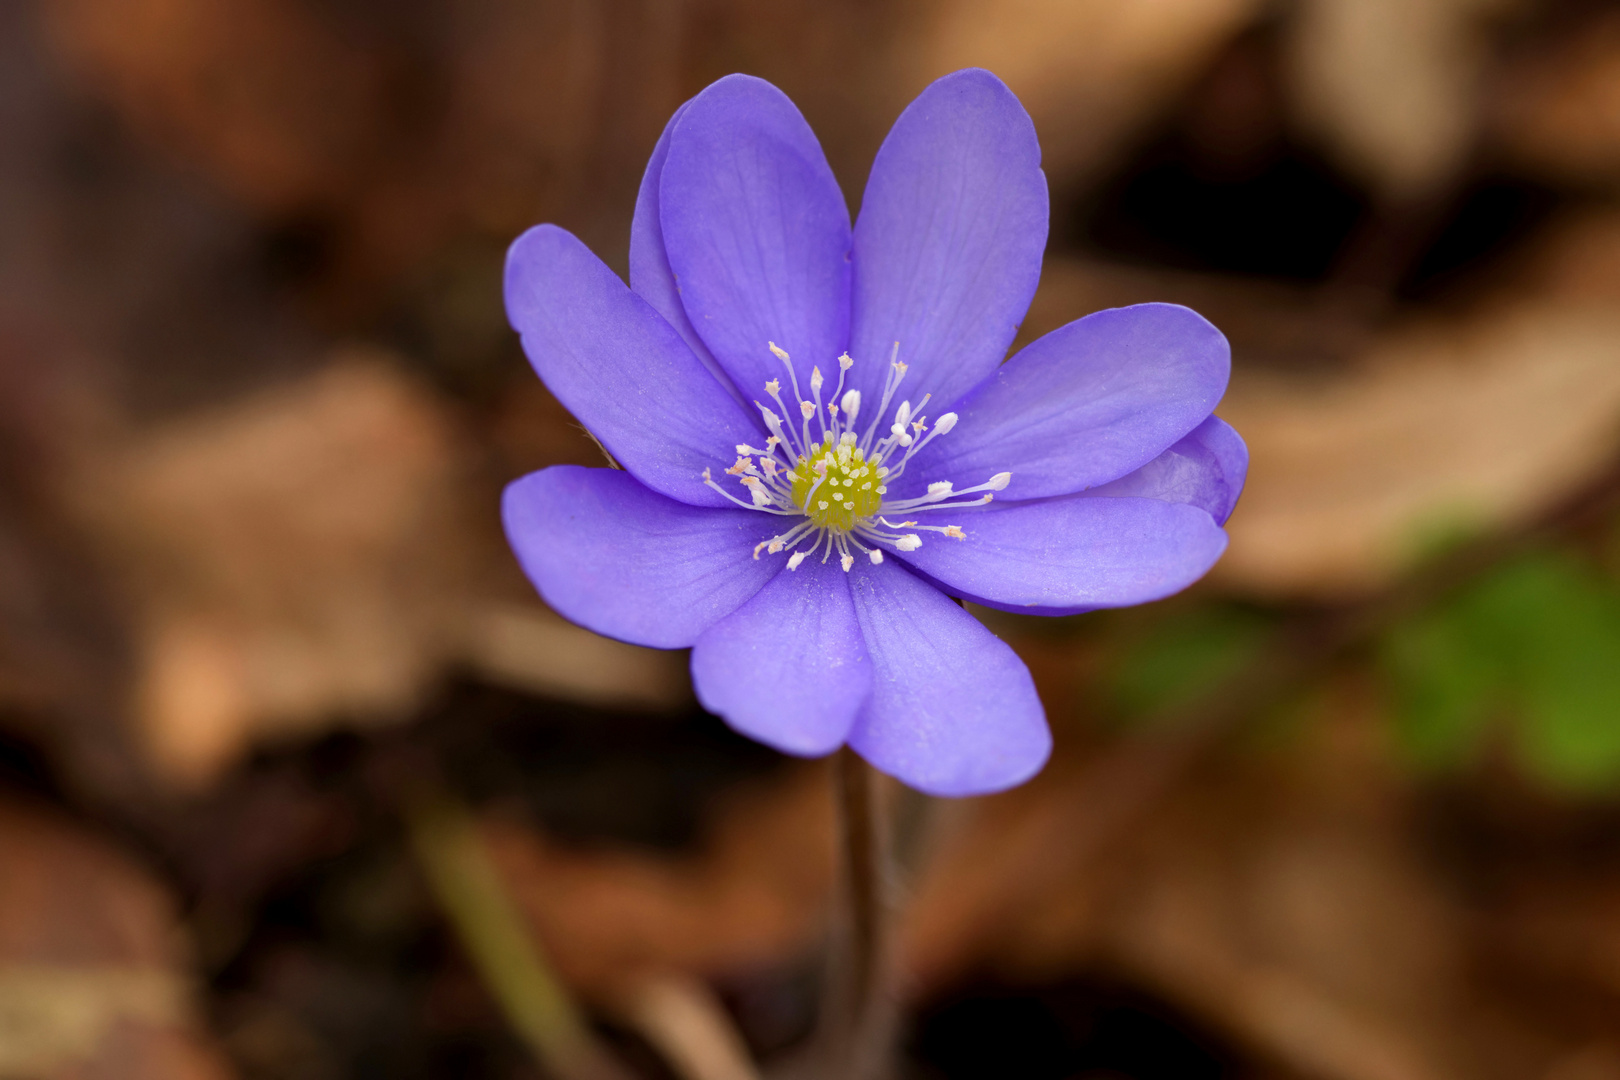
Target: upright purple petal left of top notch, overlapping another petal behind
[757,232]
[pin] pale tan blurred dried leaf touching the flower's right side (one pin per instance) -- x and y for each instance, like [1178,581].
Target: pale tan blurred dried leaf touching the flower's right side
[1477,423]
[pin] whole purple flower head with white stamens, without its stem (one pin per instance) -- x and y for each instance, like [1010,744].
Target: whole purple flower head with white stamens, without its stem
[814,420]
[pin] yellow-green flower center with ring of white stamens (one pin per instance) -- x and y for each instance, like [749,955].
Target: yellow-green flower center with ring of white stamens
[833,482]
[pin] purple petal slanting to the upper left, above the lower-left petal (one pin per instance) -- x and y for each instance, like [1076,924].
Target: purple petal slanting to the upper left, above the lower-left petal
[620,368]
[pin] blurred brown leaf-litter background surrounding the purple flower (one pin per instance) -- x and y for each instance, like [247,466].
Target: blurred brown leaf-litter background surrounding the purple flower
[1344,812]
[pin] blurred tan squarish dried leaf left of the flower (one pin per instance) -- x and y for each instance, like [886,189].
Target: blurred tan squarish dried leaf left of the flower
[291,559]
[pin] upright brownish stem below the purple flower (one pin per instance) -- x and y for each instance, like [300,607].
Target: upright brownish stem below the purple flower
[859,1024]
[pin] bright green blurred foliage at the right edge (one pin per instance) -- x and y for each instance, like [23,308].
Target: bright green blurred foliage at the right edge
[1528,652]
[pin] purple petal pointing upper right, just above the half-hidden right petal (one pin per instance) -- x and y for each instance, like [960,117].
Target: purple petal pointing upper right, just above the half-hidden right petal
[1086,404]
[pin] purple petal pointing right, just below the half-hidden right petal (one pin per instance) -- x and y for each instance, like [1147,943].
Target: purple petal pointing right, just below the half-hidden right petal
[1073,553]
